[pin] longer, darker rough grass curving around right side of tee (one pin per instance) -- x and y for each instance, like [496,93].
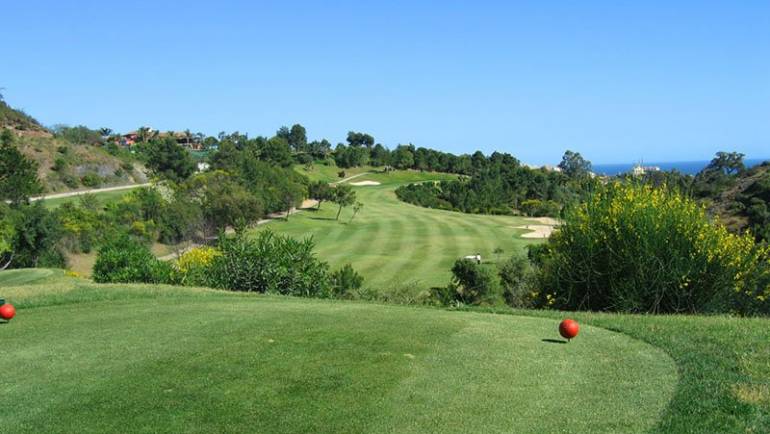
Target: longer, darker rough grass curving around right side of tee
[723,364]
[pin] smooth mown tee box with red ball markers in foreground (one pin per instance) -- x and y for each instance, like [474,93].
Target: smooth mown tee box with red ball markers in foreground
[207,361]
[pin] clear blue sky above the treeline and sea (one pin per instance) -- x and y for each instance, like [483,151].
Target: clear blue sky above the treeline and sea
[616,80]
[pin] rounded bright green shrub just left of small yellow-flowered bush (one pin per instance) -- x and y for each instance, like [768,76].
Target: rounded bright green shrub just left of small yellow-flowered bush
[125,260]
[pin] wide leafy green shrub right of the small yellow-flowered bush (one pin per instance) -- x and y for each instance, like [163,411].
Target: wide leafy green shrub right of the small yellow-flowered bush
[269,263]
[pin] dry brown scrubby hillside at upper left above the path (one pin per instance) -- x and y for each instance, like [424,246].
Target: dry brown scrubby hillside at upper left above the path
[67,162]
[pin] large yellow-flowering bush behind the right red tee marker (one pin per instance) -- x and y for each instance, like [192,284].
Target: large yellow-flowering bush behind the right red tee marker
[633,247]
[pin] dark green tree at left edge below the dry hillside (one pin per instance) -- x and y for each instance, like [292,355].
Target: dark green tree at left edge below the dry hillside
[18,174]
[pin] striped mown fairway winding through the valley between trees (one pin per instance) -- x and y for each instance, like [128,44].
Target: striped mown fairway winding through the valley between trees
[401,247]
